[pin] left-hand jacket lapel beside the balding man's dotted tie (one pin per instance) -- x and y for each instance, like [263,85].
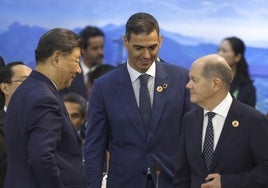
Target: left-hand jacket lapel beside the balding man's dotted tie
[197,137]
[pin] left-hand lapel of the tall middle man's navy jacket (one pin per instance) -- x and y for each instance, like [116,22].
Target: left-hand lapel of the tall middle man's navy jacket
[125,93]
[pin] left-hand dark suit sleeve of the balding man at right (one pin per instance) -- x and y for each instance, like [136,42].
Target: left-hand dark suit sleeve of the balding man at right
[182,177]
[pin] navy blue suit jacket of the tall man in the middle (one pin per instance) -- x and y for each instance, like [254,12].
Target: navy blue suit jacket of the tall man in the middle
[113,114]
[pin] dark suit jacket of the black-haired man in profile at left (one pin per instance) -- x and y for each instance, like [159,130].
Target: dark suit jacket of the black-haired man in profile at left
[42,144]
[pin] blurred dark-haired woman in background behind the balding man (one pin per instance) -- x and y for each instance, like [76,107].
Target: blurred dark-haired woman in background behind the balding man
[242,88]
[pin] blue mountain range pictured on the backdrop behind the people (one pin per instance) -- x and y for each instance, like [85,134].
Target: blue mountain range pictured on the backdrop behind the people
[20,41]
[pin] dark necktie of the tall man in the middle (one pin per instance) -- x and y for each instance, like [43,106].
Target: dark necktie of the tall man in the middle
[144,101]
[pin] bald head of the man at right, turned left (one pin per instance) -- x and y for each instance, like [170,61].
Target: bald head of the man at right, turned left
[210,80]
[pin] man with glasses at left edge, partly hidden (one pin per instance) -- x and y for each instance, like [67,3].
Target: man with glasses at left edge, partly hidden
[11,76]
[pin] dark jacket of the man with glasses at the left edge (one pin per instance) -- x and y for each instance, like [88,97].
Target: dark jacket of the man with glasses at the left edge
[3,155]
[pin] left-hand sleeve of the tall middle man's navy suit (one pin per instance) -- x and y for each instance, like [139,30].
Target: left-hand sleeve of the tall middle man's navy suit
[96,137]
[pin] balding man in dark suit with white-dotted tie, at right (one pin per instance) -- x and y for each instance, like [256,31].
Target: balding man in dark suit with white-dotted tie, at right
[227,150]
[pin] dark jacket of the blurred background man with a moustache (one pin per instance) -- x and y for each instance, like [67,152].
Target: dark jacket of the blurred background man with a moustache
[78,86]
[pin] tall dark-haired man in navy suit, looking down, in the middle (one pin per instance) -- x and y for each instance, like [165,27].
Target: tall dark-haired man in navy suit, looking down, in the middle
[116,121]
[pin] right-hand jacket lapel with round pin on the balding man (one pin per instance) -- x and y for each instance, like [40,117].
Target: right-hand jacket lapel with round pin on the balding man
[228,133]
